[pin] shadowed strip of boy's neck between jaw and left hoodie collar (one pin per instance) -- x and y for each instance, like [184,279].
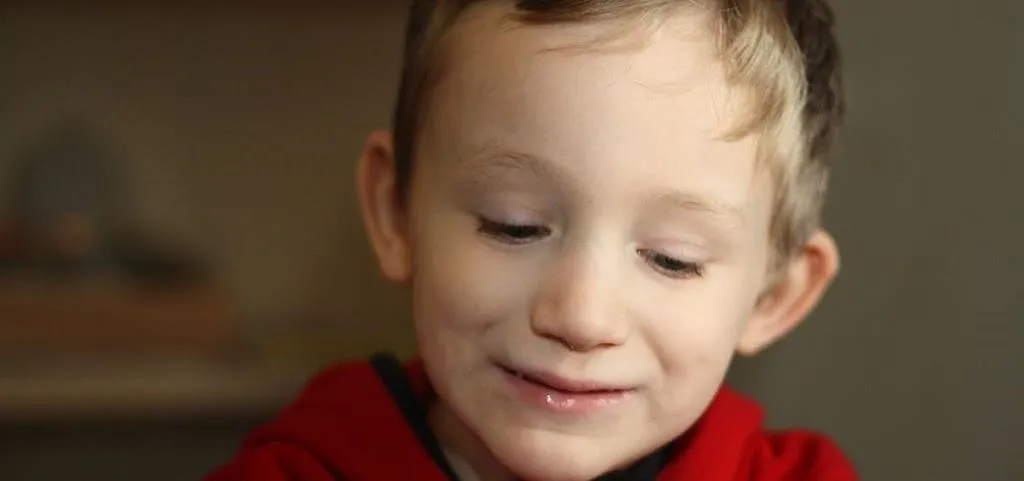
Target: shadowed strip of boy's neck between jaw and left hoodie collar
[466,453]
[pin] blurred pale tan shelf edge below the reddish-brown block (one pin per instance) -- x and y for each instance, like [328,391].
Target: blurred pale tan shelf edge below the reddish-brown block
[133,388]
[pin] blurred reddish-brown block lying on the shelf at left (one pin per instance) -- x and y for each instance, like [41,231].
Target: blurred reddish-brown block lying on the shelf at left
[49,315]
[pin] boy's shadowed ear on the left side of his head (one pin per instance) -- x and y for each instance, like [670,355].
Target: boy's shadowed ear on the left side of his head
[383,214]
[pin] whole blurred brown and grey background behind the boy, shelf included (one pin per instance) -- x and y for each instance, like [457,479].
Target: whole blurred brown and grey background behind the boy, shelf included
[180,245]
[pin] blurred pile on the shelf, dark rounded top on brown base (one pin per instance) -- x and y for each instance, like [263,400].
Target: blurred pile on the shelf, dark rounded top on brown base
[78,276]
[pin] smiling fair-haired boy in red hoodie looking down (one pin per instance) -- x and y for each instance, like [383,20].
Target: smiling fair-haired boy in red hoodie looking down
[596,203]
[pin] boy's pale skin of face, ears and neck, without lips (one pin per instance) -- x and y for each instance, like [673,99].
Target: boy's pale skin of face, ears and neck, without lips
[638,250]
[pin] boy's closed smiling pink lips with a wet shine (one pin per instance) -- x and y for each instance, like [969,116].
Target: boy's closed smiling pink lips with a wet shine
[563,402]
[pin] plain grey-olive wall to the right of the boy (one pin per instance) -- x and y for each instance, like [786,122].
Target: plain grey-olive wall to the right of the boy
[915,360]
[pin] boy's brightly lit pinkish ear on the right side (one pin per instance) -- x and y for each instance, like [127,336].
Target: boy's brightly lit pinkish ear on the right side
[797,290]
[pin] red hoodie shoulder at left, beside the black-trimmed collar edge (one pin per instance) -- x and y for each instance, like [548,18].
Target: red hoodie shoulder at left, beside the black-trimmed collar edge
[345,425]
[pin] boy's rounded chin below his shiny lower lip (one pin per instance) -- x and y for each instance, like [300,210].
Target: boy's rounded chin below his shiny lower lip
[547,456]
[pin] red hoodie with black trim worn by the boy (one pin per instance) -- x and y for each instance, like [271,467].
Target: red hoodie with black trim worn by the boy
[354,423]
